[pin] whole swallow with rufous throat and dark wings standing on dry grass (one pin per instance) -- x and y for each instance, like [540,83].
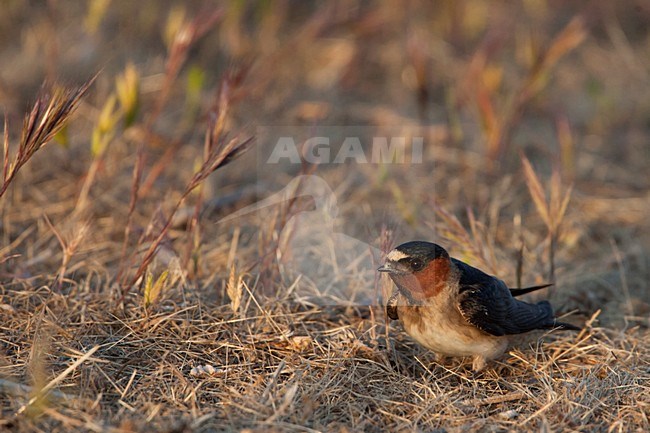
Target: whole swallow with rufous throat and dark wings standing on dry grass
[455,309]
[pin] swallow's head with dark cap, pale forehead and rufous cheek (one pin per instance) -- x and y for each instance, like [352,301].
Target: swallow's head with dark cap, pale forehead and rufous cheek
[420,270]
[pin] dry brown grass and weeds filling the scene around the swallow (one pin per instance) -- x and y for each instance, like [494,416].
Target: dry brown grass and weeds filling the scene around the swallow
[125,307]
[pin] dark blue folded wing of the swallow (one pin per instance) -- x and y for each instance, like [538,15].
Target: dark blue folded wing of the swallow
[486,302]
